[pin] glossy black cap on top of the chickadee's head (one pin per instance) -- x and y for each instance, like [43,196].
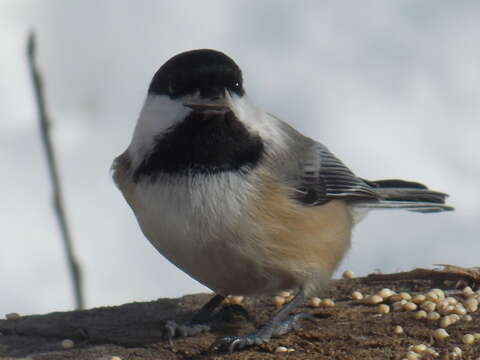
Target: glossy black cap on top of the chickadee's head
[206,71]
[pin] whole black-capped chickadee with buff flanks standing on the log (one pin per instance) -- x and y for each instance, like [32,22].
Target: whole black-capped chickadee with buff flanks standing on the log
[240,200]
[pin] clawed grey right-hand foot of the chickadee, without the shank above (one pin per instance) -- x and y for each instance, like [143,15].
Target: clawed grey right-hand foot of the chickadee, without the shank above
[263,335]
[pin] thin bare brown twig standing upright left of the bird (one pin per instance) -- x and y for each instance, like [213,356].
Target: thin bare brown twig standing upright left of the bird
[75,270]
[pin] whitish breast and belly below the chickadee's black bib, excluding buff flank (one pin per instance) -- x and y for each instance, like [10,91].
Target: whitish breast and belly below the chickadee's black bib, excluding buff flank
[201,226]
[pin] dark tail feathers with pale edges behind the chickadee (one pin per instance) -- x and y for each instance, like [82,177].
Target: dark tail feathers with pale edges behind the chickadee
[412,196]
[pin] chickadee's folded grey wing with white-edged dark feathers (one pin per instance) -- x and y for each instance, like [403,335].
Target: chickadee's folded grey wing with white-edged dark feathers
[324,177]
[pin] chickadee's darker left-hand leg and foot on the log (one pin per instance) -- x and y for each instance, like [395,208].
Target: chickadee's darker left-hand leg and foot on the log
[200,322]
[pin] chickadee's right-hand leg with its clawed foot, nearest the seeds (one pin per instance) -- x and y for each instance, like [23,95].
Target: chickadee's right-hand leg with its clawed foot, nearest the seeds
[281,323]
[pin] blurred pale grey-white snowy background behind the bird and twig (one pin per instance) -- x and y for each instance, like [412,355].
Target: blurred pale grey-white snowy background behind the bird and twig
[392,87]
